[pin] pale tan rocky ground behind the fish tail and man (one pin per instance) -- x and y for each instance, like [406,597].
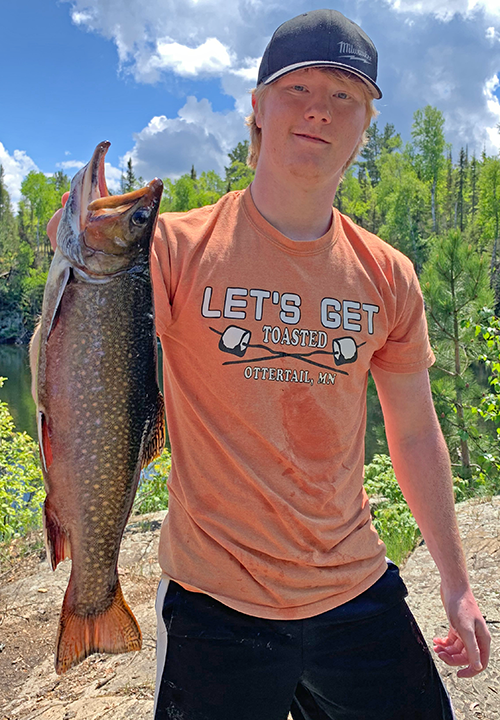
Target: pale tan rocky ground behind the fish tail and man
[122,686]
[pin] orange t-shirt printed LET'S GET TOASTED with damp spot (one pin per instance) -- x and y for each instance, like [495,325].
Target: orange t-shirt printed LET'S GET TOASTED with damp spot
[267,343]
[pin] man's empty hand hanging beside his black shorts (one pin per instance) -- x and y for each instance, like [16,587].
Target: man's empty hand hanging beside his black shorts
[468,640]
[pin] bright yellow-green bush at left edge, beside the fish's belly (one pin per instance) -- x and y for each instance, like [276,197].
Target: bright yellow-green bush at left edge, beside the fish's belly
[21,484]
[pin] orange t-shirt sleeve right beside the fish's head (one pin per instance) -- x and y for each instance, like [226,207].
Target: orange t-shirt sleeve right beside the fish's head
[160,277]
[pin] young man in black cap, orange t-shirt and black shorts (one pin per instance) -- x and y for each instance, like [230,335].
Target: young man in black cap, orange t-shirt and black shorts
[272,308]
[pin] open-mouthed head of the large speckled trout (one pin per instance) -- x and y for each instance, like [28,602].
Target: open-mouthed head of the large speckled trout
[105,234]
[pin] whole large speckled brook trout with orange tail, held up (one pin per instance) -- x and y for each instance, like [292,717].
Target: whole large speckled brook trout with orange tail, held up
[100,412]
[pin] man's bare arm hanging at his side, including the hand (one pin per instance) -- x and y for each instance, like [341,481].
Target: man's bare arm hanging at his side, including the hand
[422,466]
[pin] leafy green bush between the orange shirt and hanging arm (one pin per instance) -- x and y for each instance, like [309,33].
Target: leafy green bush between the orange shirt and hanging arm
[392,517]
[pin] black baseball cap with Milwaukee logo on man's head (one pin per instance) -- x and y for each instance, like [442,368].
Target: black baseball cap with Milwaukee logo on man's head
[320,38]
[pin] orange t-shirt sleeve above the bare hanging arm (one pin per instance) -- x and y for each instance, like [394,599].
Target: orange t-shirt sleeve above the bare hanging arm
[407,348]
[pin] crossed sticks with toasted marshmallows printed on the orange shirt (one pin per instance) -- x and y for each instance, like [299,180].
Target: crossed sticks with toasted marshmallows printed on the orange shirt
[236,341]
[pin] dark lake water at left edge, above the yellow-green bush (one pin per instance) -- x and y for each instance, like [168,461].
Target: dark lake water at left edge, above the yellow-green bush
[16,392]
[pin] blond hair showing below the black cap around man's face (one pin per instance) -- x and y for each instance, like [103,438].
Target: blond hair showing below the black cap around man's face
[260,91]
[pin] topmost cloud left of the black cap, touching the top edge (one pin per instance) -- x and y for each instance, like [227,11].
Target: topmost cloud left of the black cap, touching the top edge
[186,37]
